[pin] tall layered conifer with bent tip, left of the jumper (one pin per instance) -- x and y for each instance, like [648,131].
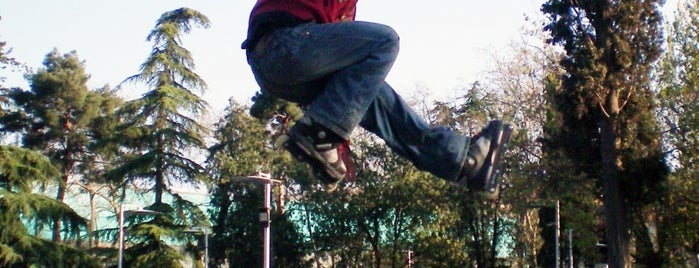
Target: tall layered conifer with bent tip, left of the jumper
[159,136]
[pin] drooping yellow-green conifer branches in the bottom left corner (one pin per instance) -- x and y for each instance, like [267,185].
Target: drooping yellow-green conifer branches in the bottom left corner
[20,171]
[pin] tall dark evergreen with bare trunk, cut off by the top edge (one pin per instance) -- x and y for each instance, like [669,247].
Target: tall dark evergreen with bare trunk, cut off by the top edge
[606,106]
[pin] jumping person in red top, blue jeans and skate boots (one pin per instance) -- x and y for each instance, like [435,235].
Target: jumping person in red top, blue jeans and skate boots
[314,53]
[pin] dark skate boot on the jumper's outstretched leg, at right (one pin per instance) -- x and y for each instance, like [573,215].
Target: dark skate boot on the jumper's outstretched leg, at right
[481,168]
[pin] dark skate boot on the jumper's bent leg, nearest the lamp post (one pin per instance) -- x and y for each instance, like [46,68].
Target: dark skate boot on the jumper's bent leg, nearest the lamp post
[319,147]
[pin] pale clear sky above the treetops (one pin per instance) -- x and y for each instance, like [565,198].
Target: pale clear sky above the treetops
[445,44]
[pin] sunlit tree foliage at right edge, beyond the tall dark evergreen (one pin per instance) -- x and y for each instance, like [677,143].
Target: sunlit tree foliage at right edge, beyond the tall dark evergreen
[678,210]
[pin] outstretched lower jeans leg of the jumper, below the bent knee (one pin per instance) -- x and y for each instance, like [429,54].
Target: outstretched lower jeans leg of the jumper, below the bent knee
[435,149]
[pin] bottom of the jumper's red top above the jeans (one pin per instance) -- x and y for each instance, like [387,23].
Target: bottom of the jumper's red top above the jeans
[320,11]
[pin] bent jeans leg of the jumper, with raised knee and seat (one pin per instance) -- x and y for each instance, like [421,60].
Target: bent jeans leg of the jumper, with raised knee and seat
[336,69]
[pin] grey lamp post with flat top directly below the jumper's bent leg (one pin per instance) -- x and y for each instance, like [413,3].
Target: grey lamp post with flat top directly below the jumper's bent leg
[264,216]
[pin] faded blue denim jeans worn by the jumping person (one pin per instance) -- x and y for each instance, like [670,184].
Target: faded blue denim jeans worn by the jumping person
[338,72]
